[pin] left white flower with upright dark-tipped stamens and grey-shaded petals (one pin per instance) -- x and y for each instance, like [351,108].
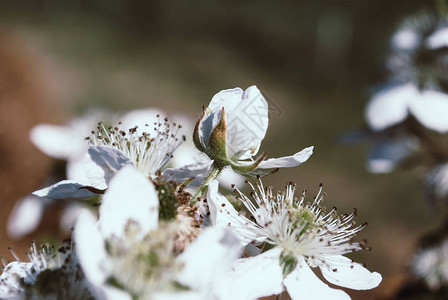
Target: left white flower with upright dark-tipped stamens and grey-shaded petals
[111,150]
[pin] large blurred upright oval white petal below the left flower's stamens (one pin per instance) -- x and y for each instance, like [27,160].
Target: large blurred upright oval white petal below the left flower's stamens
[130,196]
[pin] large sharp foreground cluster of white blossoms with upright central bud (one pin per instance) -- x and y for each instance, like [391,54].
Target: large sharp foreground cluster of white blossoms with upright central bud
[146,231]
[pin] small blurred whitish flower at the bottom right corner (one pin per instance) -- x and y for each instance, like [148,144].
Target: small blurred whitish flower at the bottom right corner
[431,265]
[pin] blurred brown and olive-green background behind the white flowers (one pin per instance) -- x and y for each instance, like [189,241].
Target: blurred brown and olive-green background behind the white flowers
[316,61]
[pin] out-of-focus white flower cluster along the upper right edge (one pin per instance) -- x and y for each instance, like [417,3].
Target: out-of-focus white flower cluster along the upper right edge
[408,118]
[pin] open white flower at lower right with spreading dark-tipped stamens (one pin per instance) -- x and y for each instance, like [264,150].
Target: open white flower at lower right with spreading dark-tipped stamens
[302,235]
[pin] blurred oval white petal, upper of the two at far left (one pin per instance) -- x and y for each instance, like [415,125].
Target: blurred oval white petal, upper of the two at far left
[60,142]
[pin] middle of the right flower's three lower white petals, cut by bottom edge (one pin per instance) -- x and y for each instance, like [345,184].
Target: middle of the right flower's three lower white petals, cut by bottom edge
[303,284]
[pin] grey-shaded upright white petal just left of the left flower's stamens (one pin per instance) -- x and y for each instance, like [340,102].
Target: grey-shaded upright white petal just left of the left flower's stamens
[102,162]
